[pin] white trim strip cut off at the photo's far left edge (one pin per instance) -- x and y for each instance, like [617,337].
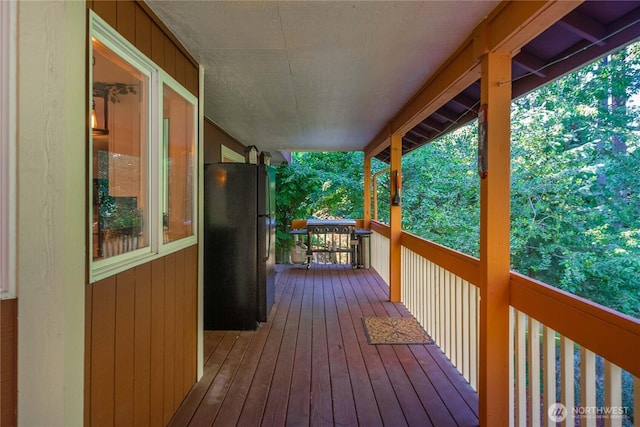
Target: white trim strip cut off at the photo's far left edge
[7,147]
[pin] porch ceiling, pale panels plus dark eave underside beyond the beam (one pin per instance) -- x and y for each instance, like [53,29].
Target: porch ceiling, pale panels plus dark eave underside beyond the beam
[329,75]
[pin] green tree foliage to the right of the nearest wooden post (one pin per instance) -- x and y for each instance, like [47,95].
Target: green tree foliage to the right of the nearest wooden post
[575,181]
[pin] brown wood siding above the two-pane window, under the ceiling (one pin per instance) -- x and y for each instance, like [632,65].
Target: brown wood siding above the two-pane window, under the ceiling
[136,22]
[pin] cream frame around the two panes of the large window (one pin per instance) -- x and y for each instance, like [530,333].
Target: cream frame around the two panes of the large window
[156,248]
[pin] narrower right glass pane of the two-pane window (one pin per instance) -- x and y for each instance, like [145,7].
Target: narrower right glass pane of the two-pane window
[178,145]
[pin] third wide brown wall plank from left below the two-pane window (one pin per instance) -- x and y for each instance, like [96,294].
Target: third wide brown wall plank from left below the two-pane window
[142,350]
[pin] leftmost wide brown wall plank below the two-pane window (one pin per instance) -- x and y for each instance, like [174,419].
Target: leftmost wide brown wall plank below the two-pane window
[103,327]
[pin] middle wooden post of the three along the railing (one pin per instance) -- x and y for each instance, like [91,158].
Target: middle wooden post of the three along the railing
[395,221]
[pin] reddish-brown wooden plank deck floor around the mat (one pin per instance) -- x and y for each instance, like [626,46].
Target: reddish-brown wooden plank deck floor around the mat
[311,364]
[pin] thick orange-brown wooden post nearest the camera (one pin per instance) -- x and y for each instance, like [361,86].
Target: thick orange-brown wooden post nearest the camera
[494,381]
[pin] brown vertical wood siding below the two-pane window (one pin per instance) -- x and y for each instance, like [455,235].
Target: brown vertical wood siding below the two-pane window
[141,331]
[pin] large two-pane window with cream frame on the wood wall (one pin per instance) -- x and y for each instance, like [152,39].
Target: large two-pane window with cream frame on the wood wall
[143,151]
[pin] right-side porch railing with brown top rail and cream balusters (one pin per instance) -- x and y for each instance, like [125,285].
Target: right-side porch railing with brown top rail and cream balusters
[572,359]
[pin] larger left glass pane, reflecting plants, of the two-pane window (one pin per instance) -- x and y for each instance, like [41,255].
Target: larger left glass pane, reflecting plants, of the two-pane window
[119,121]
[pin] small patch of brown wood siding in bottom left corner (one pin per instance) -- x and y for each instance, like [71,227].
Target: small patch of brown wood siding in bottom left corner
[8,361]
